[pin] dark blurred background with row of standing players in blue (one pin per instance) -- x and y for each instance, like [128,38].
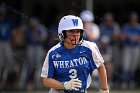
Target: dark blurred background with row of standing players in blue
[23,49]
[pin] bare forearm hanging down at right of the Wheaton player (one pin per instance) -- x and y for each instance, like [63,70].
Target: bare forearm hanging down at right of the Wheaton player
[103,78]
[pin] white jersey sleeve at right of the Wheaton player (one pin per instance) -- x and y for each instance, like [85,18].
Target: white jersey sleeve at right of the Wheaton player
[96,55]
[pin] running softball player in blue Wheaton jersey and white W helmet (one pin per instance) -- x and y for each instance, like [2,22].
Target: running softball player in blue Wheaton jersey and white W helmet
[69,64]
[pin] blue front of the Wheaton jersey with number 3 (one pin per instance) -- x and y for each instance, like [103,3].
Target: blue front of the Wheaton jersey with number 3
[65,64]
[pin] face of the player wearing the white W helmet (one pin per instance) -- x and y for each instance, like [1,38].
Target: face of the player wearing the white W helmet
[73,36]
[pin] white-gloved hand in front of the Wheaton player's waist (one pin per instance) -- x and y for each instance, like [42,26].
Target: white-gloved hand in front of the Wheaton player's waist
[73,84]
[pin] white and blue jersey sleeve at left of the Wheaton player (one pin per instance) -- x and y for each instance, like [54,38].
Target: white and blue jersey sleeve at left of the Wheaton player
[48,67]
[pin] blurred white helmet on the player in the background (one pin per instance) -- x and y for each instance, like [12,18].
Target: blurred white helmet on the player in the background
[86,15]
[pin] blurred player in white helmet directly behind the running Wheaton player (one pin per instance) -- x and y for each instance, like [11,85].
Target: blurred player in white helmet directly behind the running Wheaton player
[92,32]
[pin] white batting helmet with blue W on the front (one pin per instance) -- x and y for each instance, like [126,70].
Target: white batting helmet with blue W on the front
[69,22]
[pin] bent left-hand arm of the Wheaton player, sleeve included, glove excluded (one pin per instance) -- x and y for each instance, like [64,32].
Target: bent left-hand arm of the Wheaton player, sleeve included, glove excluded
[48,72]
